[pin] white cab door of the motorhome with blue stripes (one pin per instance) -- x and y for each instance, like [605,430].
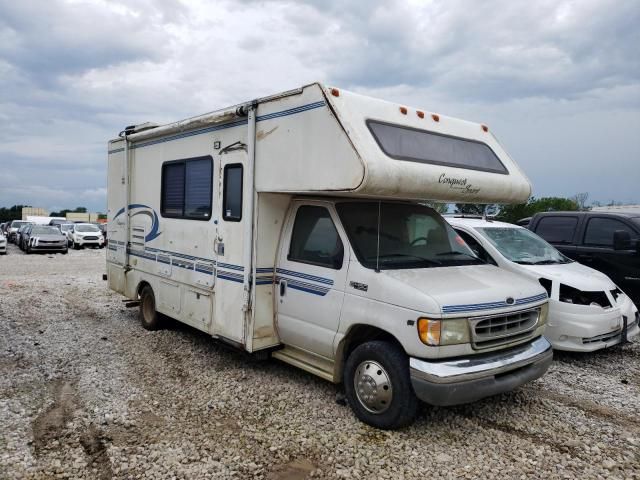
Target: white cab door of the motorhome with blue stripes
[311,275]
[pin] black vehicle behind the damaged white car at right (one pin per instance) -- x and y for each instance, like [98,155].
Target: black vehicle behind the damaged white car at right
[606,241]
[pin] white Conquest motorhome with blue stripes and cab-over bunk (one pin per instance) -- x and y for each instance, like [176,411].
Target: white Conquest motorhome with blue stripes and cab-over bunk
[292,226]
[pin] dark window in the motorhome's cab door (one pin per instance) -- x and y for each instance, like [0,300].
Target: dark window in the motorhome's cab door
[315,239]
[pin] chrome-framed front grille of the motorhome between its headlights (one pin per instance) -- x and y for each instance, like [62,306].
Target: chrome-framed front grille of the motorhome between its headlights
[494,330]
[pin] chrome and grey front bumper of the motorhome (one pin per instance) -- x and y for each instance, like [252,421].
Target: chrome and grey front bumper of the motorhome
[465,380]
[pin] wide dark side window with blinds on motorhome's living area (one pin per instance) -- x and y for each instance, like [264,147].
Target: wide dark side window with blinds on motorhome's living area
[187,188]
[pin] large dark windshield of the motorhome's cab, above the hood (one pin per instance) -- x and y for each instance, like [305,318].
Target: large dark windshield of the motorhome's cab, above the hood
[410,236]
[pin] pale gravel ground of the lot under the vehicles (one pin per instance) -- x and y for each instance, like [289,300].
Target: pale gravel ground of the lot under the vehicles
[85,392]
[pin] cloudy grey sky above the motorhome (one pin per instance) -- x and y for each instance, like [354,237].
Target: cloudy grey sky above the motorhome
[557,81]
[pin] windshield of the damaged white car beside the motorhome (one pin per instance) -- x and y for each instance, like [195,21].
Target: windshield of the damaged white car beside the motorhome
[522,246]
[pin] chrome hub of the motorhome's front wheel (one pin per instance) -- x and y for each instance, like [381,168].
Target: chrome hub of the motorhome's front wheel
[373,387]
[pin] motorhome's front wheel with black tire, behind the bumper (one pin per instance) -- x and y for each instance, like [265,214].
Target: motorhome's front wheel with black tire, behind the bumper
[396,409]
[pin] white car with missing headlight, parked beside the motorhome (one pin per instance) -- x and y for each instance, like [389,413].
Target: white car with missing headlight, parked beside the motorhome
[587,311]
